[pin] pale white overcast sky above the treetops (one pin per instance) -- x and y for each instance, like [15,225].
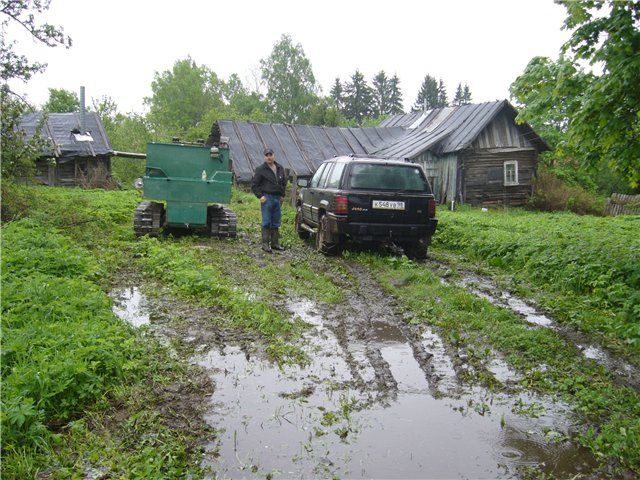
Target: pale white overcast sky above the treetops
[118,45]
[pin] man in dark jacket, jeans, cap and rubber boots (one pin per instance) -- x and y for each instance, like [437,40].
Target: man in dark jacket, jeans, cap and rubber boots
[269,183]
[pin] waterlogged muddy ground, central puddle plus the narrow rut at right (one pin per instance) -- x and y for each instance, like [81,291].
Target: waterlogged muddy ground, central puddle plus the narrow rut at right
[380,397]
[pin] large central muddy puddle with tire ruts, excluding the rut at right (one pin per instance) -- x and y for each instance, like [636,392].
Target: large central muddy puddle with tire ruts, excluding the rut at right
[368,405]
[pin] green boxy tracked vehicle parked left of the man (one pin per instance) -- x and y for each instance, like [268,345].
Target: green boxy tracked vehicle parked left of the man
[185,185]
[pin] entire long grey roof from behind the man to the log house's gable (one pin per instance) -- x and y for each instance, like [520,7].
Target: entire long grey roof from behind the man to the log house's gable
[301,148]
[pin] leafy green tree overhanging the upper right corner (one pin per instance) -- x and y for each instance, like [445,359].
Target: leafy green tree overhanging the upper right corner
[603,121]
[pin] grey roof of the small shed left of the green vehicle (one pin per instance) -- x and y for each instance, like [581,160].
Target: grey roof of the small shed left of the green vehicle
[63,142]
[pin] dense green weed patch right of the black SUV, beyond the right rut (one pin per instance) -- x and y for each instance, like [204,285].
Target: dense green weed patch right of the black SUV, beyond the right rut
[589,266]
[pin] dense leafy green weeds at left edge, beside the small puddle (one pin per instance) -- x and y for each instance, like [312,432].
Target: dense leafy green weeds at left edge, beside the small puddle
[62,347]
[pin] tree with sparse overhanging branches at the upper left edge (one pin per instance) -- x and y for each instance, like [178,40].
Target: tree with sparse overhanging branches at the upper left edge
[18,156]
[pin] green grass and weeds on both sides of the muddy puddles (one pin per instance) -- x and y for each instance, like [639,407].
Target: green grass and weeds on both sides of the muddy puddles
[82,389]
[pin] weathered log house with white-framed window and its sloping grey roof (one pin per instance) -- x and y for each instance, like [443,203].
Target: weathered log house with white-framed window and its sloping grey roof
[474,154]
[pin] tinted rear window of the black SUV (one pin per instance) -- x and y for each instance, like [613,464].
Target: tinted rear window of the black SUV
[367,176]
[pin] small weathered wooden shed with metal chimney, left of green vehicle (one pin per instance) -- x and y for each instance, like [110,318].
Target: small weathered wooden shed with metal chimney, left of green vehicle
[78,151]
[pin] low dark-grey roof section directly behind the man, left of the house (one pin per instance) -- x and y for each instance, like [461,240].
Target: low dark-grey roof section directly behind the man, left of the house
[299,148]
